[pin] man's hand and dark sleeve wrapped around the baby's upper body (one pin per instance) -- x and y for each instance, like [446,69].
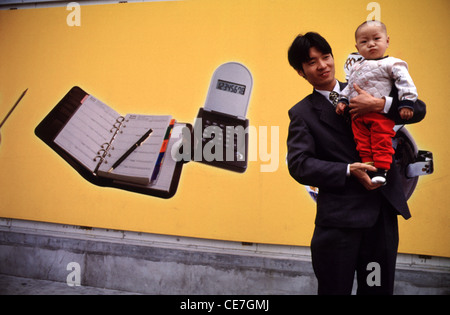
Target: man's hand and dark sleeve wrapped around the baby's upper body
[365,103]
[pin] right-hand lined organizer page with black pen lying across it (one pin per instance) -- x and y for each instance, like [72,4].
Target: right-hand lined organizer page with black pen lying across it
[138,166]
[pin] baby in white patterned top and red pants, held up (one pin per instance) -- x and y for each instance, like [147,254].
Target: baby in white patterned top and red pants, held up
[376,74]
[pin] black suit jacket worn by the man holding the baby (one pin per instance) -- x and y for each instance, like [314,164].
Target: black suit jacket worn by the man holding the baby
[320,146]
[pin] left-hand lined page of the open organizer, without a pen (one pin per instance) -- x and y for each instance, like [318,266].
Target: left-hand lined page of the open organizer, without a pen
[87,130]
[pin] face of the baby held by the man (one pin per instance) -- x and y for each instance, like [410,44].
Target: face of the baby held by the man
[372,41]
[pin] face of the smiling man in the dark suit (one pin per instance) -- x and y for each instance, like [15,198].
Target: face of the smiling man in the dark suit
[319,70]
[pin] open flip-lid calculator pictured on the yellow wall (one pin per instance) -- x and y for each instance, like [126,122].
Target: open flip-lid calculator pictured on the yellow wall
[221,125]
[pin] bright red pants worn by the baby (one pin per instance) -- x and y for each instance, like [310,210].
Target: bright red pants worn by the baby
[373,135]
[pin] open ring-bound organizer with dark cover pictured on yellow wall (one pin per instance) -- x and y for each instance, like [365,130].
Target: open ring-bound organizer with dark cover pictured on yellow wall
[72,130]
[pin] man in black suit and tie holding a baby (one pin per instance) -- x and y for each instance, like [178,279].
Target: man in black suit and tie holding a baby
[356,225]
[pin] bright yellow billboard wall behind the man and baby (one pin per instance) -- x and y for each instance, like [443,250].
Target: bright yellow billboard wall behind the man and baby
[158,58]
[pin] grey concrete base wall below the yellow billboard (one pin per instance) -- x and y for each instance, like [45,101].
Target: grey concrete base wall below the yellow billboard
[156,264]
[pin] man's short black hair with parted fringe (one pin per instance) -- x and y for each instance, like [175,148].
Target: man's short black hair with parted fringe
[299,51]
